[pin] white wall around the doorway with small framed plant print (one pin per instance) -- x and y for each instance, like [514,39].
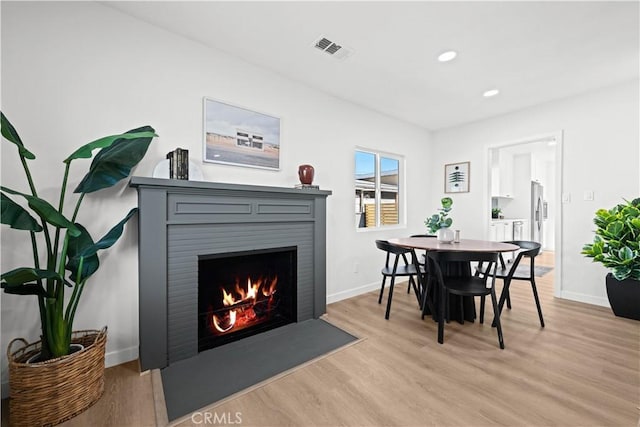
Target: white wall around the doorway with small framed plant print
[601,145]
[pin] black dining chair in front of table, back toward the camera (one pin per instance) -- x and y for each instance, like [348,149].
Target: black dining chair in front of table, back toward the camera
[464,286]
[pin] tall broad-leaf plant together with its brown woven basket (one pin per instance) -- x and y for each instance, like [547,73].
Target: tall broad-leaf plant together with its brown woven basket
[49,381]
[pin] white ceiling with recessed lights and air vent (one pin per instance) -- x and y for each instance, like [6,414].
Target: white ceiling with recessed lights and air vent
[533,52]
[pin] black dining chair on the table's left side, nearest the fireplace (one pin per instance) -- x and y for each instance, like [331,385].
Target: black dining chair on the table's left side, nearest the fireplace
[406,268]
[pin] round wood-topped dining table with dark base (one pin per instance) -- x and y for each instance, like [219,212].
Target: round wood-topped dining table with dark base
[459,269]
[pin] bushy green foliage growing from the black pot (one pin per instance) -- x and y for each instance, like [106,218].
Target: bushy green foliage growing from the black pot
[617,240]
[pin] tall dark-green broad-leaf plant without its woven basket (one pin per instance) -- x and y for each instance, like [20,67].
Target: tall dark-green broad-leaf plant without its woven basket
[64,253]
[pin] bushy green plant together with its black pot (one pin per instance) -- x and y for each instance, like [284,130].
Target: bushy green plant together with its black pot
[617,246]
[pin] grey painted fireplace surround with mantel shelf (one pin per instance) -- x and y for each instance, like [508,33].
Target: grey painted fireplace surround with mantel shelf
[178,220]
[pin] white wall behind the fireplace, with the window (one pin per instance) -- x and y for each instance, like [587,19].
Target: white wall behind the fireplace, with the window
[75,71]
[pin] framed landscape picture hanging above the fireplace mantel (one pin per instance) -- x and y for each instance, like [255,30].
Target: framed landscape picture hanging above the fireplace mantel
[234,135]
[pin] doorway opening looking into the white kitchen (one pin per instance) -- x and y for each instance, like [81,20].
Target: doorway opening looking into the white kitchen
[525,200]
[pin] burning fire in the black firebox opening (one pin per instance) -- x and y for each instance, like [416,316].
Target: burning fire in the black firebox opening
[244,293]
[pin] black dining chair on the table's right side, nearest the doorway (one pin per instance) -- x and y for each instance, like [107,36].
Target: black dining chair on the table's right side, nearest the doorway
[528,249]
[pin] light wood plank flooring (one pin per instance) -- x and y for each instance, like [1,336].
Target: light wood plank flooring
[582,369]
